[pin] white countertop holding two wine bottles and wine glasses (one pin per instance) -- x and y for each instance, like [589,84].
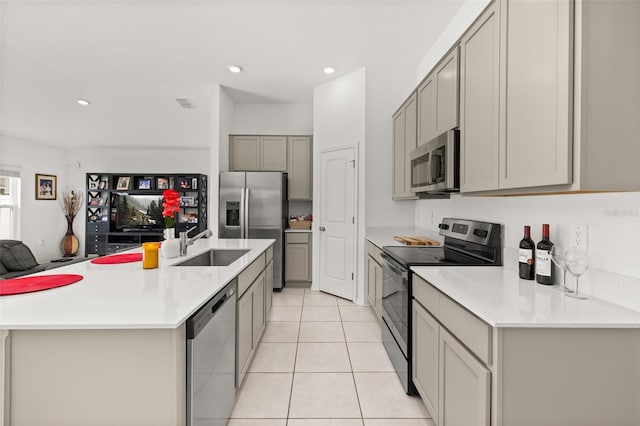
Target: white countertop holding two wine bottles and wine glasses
[500,298]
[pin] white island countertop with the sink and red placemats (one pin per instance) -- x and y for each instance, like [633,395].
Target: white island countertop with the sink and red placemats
[125,295]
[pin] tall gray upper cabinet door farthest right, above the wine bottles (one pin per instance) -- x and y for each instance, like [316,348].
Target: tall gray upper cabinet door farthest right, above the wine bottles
[536,93]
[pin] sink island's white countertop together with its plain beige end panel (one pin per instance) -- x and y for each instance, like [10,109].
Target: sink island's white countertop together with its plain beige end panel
[109,349]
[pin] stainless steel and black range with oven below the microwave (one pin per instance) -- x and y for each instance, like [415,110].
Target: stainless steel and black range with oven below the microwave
[466,243]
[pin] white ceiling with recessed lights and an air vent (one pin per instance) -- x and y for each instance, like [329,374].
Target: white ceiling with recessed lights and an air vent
[133,58]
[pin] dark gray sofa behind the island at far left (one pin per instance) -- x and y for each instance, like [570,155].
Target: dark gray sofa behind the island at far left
[16,260]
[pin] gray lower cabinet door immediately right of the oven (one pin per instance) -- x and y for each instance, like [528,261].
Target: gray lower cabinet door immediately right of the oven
[426,352]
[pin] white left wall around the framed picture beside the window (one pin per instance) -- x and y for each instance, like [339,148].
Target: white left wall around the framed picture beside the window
[42,222]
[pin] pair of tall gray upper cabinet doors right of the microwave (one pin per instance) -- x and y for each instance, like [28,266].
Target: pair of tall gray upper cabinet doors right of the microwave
[516,108]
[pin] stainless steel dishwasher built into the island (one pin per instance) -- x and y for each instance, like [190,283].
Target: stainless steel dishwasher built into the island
[211,356]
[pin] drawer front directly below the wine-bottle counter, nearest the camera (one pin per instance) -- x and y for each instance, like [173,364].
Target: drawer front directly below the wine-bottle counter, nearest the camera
[469,329]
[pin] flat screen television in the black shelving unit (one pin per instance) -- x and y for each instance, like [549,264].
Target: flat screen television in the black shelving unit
[143,212]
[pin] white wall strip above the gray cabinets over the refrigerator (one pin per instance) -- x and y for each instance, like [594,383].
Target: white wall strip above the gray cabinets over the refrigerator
[273,119]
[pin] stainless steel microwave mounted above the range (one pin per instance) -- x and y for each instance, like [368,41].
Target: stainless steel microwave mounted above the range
[435,166]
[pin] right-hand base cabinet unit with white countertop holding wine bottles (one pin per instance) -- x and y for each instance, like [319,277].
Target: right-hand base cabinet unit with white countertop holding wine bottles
[491,349]
